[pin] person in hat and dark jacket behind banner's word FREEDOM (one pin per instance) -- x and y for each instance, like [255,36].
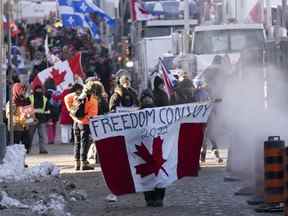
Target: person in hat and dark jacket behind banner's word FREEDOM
[124,95]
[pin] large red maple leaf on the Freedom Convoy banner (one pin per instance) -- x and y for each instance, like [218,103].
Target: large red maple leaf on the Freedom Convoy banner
[153,161]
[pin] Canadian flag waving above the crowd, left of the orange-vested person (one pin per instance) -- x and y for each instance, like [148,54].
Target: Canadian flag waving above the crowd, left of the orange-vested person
[63,73]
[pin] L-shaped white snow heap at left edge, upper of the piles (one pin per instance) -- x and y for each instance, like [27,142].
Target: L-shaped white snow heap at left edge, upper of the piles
[13,169]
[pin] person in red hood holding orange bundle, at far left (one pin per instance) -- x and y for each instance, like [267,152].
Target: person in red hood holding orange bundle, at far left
[23,116]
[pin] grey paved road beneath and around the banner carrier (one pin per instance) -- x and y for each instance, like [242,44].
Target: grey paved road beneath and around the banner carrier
[206,195]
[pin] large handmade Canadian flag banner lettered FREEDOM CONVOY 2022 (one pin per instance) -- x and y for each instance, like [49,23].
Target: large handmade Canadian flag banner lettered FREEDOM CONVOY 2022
[149,148]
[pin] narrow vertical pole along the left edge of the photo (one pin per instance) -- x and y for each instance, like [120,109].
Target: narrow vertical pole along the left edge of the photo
[2,86]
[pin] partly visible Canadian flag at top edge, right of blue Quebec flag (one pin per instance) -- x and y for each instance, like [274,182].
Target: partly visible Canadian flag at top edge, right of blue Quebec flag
[139,13]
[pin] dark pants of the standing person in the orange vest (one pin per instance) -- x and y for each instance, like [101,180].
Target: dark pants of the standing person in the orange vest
[81,141]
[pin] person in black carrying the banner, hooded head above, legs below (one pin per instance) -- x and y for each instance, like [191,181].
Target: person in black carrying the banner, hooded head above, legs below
[153,198]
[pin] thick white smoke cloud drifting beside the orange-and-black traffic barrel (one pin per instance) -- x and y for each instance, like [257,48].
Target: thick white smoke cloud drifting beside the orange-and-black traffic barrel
[254,107]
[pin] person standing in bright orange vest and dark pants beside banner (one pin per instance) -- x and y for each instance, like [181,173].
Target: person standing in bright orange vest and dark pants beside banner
[81,124]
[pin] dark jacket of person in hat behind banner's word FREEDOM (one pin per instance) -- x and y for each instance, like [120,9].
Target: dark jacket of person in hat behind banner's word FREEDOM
[125,97]
